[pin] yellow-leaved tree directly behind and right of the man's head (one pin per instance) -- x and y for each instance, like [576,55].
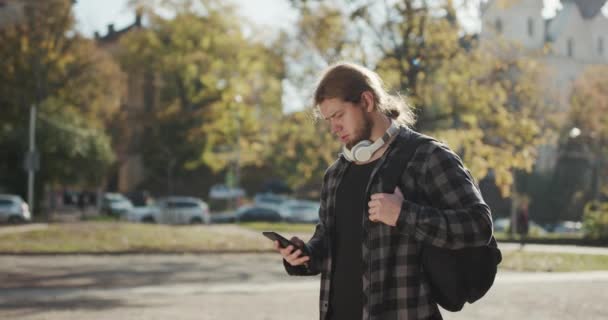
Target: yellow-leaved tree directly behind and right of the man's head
[484,102]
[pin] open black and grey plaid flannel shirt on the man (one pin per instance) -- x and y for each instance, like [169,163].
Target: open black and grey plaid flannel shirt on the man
[450,213]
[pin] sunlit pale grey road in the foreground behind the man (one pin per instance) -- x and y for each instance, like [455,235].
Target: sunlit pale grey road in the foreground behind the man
[244,286]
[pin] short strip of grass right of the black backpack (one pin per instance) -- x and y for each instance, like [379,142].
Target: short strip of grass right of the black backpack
[552,262]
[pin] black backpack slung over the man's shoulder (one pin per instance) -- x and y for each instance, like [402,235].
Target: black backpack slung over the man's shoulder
[456,276]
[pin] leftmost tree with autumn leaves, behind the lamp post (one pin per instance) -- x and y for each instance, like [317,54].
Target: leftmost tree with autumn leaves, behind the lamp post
[76,88]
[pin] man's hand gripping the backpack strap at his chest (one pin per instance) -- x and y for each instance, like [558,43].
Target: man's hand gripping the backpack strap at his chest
[385,207]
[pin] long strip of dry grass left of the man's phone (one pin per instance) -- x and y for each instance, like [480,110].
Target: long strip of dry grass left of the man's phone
[115,237]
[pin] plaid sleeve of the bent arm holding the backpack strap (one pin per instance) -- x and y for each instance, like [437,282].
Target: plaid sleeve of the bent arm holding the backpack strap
[457,216]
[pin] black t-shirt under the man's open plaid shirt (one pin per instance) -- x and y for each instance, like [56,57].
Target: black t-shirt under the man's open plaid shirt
[346,293]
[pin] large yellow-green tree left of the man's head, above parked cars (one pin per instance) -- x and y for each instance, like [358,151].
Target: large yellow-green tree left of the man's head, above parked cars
[219,88]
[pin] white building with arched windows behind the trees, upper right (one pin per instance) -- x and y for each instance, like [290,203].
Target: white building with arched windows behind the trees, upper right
[575,39]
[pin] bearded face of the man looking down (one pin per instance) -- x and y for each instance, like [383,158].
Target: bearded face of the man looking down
[348,121]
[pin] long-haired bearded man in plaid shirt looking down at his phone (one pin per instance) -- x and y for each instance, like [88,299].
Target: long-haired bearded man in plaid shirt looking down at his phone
[367,243]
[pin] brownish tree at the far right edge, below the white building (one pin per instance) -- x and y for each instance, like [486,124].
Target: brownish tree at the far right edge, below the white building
[583,146]
